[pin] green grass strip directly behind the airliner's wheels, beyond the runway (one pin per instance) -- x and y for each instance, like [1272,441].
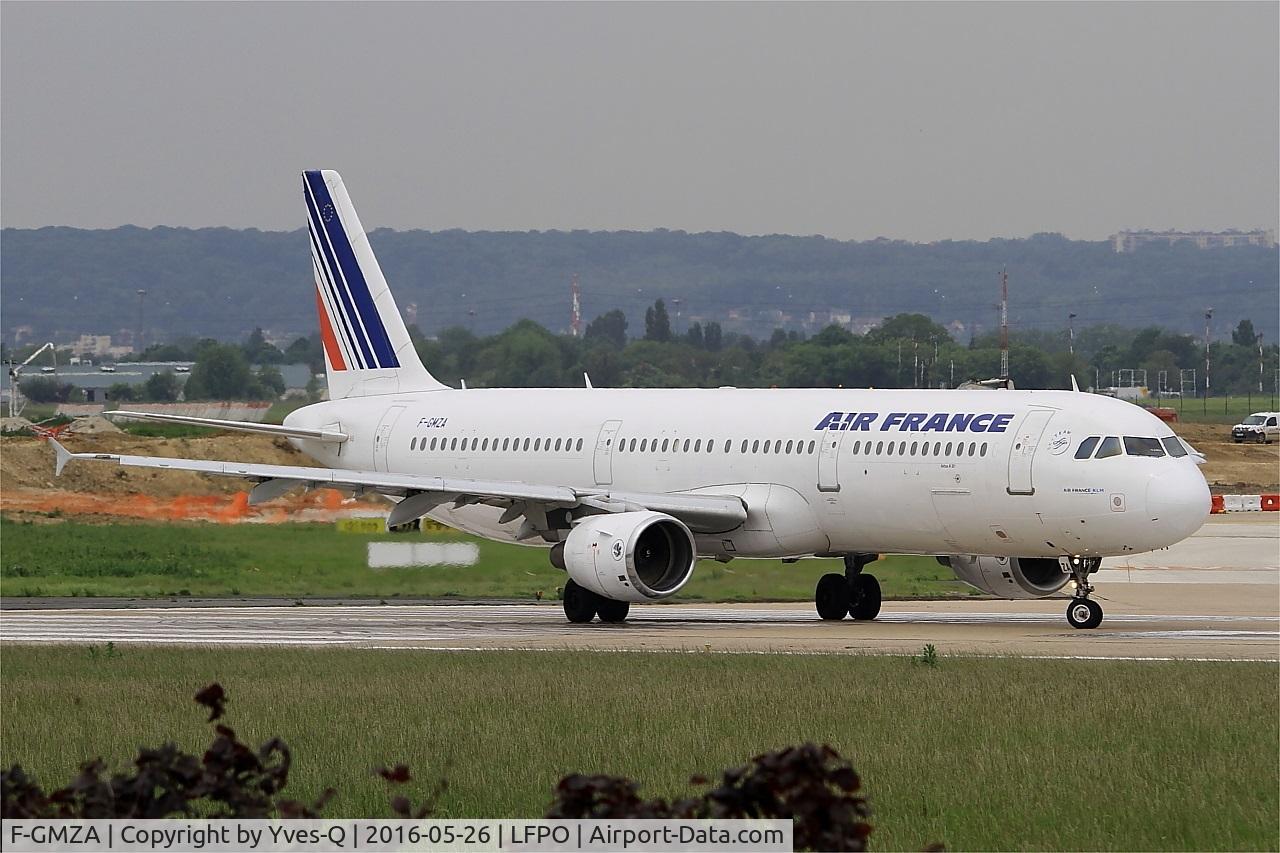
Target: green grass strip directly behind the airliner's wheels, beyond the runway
[316,560]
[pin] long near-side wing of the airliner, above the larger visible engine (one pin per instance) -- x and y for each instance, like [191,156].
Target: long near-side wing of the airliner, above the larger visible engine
[420,495]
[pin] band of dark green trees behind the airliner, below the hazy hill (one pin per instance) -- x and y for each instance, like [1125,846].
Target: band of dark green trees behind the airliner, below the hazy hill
[904,352]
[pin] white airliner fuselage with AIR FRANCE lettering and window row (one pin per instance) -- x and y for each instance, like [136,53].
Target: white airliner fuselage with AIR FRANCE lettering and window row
[821,472]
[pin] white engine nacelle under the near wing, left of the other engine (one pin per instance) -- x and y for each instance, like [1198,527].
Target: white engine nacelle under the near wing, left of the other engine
[630,556]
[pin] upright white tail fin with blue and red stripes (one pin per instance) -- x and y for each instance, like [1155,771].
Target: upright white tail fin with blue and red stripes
[367,346]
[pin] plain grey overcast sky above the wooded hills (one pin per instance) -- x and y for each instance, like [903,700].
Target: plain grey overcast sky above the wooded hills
[908,121]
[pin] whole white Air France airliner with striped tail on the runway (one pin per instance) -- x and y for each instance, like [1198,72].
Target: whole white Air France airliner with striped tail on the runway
[1020,492]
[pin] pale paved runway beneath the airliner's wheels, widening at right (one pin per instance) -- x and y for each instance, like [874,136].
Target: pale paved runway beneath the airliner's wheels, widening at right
[1214,597]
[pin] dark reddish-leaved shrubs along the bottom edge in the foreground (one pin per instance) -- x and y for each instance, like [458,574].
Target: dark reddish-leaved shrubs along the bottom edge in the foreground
[810,784]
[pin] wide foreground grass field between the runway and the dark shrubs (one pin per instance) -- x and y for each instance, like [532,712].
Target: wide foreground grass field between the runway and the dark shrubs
[977,754]
